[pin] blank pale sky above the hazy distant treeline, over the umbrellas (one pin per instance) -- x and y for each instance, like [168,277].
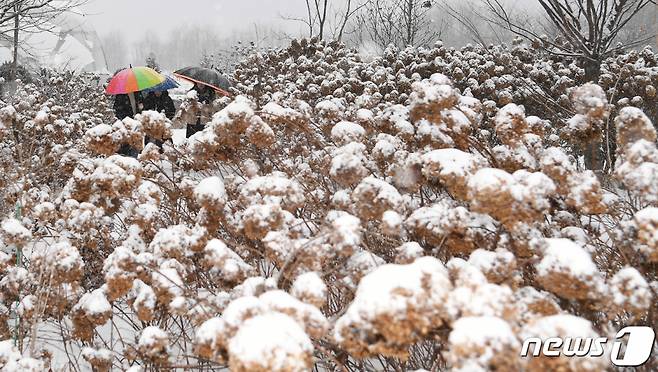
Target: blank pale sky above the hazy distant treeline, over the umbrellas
[133,17]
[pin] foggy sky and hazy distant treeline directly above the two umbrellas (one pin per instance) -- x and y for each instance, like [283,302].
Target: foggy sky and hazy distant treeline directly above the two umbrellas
[180,33]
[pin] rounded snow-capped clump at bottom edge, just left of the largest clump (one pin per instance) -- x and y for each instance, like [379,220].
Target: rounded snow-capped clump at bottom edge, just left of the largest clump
[268,333]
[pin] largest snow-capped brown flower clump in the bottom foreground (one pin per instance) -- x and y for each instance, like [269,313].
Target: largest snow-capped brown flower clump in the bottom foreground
[394,305]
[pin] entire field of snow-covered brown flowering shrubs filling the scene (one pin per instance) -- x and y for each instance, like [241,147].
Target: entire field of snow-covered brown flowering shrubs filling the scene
[426,209]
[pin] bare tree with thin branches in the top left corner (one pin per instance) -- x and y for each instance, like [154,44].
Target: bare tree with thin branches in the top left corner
[28,16]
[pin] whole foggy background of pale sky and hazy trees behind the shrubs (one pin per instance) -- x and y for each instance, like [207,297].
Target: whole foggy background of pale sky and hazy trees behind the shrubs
[218,33]
